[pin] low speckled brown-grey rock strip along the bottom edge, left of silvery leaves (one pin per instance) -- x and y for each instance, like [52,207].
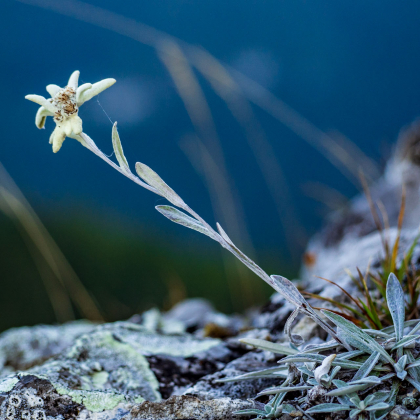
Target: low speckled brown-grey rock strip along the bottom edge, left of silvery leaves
[189,407]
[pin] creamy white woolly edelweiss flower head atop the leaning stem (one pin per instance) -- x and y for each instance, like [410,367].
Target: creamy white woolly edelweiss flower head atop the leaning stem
[64,107]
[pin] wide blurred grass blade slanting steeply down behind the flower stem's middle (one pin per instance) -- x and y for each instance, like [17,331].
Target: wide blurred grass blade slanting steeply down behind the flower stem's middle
[226,206]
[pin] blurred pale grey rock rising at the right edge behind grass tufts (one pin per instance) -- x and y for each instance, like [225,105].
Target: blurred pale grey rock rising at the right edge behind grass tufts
[350,238]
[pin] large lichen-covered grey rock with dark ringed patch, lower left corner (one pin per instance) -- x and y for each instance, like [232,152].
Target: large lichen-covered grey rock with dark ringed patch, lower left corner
[104,370]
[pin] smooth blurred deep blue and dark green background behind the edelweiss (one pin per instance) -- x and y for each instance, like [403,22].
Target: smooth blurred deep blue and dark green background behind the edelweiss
[350,68]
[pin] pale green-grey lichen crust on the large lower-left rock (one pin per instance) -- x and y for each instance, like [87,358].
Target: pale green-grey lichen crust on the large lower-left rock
[107,366]
